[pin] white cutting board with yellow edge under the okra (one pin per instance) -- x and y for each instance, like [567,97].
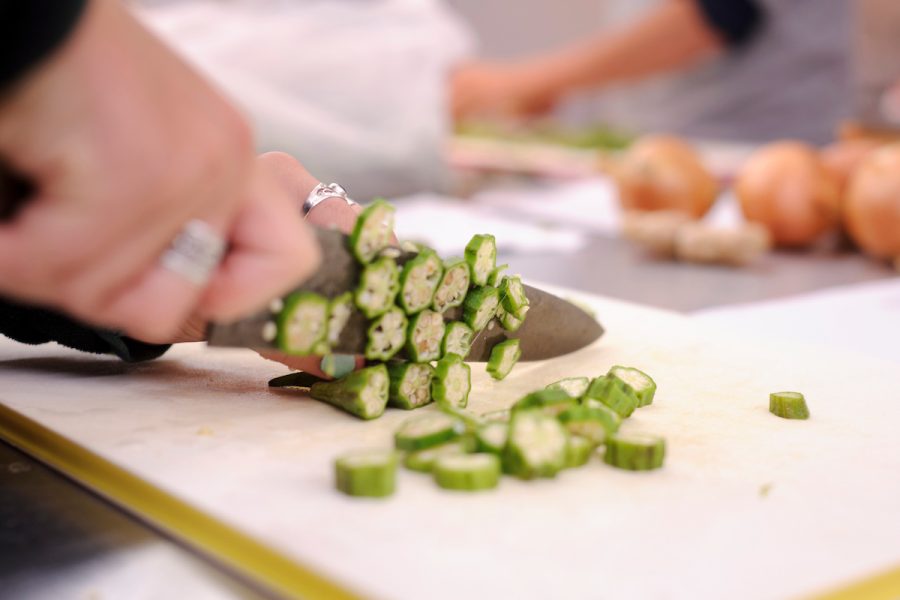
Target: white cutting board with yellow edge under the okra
[747,506]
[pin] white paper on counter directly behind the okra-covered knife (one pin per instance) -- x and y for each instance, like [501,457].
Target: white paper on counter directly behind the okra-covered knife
[447,224]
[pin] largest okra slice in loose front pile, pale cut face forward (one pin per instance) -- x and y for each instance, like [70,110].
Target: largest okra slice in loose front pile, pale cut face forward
[536,446]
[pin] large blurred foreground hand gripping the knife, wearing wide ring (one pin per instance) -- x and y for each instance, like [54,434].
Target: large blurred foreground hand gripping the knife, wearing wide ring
[126,146]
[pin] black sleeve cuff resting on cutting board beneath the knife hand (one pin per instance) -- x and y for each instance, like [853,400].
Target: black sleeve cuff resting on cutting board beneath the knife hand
[31,325]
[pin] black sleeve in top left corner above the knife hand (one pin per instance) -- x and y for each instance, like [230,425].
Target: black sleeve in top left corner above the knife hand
[30,30]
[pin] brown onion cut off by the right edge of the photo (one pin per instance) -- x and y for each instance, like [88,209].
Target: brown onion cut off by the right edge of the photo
[872,205]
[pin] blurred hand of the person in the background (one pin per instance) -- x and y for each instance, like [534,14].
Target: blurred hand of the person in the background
[501,90]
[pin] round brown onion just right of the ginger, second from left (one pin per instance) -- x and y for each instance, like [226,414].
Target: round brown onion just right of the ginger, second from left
[785,187]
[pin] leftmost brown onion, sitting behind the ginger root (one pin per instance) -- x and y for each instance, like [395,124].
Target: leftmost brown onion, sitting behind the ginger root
[664,173]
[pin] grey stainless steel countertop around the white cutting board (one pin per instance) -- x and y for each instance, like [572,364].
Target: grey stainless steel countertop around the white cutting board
[55,536]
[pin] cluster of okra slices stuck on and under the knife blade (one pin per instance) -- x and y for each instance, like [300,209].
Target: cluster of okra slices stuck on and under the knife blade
[415,350]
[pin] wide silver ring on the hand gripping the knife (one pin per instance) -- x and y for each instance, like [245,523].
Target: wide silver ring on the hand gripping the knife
[195,252]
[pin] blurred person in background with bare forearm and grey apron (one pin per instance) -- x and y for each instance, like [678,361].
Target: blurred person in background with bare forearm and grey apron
[747,70]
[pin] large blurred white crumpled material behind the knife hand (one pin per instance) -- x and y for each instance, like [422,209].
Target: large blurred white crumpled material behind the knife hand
[359,89]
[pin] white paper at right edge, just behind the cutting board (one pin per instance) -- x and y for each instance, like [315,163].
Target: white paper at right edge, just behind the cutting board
[862,318]
